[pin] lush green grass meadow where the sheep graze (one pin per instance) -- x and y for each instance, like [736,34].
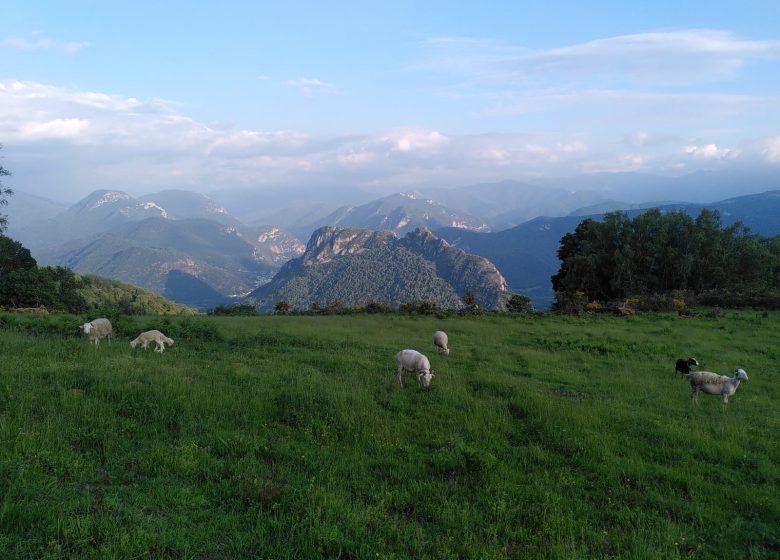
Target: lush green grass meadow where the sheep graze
[288,437]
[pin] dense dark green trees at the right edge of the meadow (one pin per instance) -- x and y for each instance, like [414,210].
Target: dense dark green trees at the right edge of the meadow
[659,253]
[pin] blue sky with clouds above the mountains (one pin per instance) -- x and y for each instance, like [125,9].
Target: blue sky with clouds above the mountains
[386,96]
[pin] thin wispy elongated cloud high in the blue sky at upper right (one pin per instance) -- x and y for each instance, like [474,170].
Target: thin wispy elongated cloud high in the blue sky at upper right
[667,57]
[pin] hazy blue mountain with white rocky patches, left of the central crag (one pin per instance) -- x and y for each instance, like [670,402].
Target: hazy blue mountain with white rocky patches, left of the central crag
[142,240]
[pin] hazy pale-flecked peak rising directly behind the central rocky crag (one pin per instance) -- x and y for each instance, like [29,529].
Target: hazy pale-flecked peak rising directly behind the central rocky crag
[400,213]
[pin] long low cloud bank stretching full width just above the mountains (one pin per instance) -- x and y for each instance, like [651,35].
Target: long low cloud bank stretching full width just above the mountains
[77,141]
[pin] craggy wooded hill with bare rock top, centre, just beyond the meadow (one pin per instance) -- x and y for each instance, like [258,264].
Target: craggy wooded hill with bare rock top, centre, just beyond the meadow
[357,266]
